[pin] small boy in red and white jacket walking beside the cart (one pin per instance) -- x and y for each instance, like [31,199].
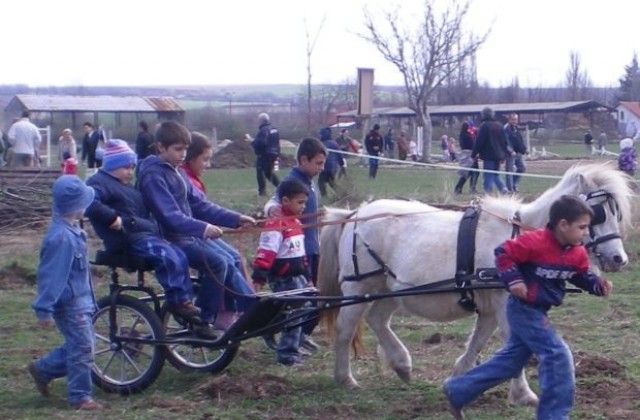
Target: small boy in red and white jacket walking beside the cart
[281,259]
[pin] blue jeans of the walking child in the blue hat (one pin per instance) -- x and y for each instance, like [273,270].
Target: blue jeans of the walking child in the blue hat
[72,359]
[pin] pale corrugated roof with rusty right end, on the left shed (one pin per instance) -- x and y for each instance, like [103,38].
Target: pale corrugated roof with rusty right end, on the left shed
[52,103]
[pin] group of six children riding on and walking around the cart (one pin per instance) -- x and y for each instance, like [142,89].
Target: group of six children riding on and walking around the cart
[167,220]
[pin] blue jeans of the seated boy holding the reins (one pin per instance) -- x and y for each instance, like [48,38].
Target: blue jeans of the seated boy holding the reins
[219,277]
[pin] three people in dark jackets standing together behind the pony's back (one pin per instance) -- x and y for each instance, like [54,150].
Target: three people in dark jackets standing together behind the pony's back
[493,143]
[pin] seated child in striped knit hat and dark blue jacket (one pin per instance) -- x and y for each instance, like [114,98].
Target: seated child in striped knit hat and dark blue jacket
[121,219]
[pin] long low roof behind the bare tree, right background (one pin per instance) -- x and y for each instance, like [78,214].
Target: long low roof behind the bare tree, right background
[475,109]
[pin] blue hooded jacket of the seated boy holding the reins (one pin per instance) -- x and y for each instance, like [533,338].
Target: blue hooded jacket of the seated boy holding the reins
[181,210]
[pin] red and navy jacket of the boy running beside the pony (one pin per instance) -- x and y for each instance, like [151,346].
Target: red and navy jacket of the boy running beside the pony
[539,261]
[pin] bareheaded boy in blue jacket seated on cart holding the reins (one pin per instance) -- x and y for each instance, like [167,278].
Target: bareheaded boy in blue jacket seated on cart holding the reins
[188,219]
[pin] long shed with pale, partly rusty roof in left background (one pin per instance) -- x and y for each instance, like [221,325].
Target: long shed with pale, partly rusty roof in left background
[119,114]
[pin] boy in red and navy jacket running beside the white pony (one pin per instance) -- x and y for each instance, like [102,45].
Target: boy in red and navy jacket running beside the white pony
[535,268]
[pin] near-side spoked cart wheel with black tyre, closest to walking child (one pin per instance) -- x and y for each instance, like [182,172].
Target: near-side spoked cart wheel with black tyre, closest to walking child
[131,366]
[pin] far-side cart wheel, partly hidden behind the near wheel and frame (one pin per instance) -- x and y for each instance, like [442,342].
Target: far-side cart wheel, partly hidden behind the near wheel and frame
[188,358]
